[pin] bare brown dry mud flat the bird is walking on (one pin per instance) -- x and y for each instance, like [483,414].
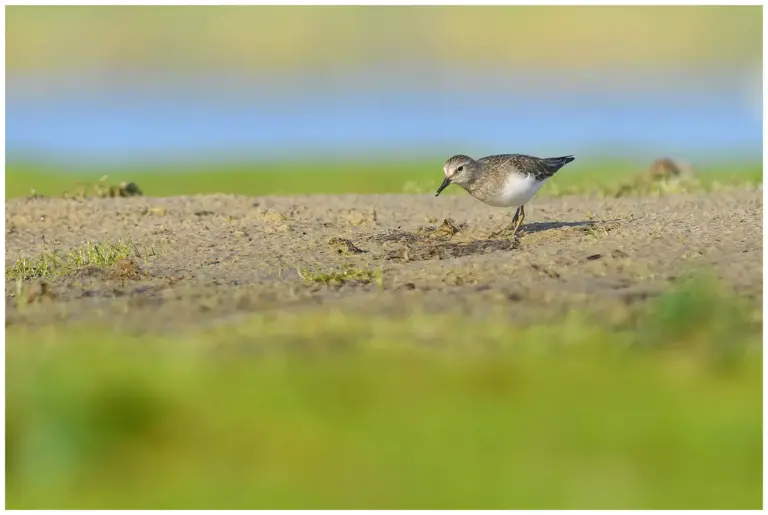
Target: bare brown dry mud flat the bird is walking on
[210,259]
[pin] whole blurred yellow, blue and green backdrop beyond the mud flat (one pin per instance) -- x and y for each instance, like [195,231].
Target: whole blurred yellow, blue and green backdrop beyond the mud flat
[129,90]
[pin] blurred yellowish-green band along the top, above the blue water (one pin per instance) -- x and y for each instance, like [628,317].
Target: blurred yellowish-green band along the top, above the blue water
[317,37]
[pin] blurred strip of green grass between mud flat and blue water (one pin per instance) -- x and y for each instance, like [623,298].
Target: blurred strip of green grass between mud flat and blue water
[331,178]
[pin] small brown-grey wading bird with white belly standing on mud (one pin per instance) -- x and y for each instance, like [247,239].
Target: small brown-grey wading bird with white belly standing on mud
[505,180]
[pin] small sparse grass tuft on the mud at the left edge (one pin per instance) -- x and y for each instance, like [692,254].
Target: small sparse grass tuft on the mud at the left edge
[48,265]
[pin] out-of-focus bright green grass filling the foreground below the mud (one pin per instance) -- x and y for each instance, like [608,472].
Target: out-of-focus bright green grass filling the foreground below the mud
[322,409]
